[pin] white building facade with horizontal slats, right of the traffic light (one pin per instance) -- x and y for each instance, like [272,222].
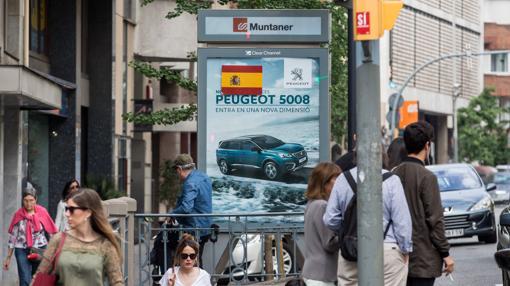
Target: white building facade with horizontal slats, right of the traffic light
[426,30]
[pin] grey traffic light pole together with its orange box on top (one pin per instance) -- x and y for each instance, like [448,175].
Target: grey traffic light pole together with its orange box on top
[371,19]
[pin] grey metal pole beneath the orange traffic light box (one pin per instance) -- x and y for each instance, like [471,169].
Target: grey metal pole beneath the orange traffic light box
[370,230]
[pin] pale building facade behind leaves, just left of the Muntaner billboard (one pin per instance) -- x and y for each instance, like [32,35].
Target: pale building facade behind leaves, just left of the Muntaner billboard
[170,44]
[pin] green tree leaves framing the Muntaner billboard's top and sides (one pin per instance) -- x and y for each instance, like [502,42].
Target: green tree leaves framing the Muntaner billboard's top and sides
[338,50]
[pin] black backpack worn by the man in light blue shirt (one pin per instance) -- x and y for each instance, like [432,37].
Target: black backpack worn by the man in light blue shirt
[349,233]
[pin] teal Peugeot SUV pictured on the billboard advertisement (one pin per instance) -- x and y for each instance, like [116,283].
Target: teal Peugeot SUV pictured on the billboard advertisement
[269,154]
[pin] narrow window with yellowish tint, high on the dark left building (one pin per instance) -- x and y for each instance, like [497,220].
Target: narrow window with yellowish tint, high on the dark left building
[39,26]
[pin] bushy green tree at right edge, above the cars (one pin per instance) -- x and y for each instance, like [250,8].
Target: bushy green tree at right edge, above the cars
[482,137]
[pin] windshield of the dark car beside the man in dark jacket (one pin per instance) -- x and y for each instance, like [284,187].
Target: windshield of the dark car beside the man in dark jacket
[457,178]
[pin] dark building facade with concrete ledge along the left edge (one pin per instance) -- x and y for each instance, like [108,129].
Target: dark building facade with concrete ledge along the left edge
[64,85]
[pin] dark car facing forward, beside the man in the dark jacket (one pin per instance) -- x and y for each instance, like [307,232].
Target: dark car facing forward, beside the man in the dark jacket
[468,207]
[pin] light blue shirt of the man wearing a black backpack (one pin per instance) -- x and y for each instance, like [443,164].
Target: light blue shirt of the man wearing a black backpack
[394,208]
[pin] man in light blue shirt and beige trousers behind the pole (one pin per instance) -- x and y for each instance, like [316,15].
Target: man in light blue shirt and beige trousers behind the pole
[396,222]
